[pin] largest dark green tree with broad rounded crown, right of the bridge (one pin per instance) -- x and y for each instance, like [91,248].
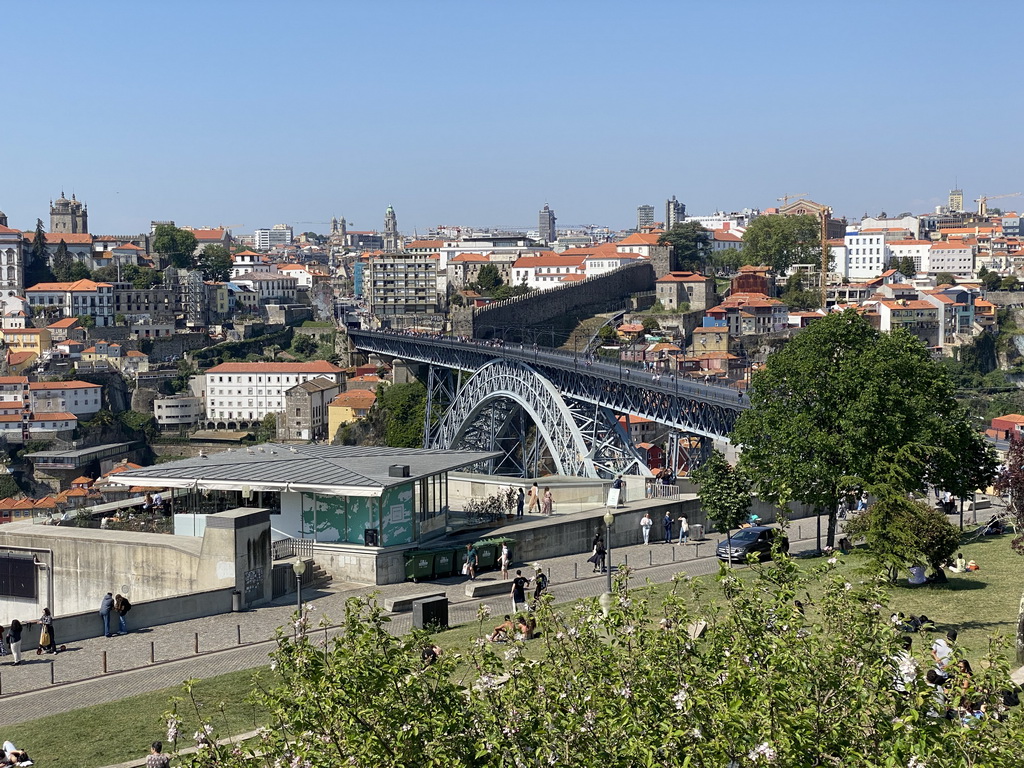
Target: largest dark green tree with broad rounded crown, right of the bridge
[844,405]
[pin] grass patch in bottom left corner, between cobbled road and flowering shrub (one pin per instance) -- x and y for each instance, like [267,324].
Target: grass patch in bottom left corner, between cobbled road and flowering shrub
[122,731]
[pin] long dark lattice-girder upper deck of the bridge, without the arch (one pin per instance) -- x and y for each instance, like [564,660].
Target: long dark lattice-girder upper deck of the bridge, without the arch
[708,411]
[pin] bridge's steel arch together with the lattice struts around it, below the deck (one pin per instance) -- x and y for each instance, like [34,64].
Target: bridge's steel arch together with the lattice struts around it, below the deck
[582,440]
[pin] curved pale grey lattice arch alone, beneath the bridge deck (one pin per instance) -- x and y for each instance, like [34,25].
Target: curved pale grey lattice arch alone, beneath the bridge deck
[574,450]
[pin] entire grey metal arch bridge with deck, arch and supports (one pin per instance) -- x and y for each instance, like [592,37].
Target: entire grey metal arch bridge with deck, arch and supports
[572,402]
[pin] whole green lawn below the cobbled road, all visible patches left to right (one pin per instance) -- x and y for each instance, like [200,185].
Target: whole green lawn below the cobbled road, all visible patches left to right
[982,607]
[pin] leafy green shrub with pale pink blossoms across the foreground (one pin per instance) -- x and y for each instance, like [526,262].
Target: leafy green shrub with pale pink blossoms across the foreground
[751,680]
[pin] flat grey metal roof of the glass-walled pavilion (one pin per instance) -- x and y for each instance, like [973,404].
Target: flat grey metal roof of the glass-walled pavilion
[332,471]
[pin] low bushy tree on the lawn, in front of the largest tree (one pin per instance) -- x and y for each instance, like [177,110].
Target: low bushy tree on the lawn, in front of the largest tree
[903,533]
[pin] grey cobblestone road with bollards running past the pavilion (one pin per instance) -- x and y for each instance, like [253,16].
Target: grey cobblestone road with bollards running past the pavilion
[26,693]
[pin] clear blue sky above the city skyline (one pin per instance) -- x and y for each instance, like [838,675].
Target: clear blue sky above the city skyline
[478,113]
